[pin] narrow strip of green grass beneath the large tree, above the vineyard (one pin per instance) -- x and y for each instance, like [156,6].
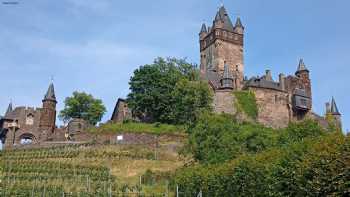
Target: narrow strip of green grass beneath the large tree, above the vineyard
[132,127]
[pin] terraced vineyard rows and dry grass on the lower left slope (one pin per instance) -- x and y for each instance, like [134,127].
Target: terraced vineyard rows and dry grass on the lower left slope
[87,170]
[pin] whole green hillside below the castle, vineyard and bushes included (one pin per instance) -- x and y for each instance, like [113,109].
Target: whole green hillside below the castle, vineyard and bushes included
[220,156]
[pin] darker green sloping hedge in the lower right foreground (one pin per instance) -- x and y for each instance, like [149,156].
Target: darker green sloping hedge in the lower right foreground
[302,160]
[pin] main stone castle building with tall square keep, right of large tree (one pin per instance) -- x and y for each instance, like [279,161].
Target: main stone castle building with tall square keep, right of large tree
[222,64]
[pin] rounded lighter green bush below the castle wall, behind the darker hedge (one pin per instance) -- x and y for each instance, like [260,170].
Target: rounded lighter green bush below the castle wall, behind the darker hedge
[219,138]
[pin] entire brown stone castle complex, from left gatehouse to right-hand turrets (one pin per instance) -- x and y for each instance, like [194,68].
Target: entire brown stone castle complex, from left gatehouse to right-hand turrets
[221,63]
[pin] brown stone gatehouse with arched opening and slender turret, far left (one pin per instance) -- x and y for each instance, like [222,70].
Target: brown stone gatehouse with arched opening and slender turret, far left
[28,125]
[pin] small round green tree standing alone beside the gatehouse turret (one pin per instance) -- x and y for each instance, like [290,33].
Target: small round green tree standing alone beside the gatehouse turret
[84,106]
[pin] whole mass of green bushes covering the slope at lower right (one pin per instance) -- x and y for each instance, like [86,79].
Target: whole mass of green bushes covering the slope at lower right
[243,159]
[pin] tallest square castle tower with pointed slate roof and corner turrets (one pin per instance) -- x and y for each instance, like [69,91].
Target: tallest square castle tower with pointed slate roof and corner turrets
[222,44]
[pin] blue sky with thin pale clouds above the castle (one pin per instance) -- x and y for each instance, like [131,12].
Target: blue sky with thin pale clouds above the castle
[95,45]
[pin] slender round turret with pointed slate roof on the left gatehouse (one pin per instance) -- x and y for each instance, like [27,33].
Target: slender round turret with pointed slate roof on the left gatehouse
[48,114]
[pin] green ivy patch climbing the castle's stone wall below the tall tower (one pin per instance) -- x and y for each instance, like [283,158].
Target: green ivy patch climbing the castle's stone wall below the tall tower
[246,102]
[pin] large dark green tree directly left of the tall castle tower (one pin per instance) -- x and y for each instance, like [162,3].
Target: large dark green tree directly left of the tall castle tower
[157,91]
